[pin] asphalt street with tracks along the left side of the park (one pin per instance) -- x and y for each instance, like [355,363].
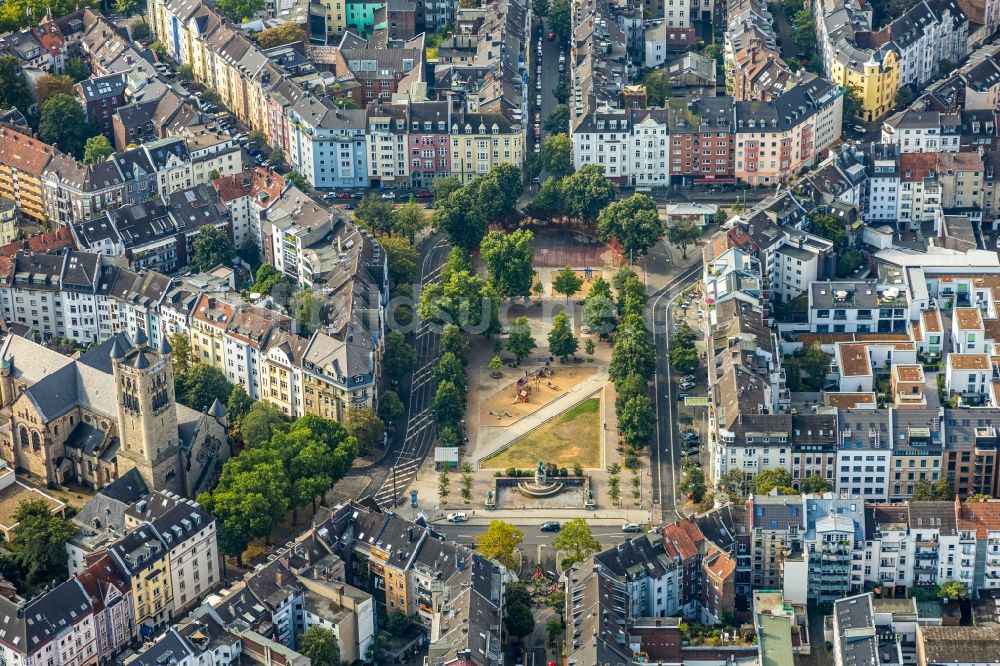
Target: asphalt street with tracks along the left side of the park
[390,483]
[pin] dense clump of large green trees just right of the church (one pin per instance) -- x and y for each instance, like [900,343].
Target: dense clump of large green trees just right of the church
[282,466]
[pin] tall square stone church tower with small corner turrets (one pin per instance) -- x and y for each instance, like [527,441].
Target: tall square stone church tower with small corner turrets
[147,414]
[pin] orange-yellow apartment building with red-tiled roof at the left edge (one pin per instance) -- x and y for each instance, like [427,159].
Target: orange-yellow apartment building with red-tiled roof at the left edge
[22,163]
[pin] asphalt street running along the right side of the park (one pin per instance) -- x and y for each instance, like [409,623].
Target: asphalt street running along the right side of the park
[665,465]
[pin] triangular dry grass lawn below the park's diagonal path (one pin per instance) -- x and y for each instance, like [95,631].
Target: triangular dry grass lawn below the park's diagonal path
[571,437]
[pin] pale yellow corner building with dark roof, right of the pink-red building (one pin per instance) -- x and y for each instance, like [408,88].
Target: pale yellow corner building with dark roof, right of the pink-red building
[481,141]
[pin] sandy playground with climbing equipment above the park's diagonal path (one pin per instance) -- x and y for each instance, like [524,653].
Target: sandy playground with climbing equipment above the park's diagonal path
[529,391]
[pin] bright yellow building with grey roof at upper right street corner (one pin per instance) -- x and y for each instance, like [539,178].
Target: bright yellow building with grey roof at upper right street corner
[874,74]
